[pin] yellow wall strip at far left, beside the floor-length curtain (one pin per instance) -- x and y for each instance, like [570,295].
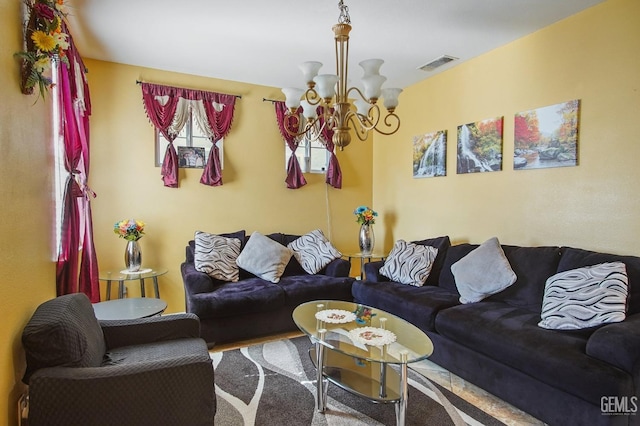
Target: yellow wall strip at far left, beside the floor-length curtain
[26,268]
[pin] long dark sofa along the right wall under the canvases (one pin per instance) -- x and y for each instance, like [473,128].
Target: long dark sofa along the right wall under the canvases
[582,377]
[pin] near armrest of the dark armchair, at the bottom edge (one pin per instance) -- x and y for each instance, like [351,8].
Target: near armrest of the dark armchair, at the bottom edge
[177,391]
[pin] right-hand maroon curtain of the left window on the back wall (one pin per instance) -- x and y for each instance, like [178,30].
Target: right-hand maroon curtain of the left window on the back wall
[220,123]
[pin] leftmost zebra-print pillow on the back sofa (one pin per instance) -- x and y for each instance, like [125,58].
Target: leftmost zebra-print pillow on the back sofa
[216,256]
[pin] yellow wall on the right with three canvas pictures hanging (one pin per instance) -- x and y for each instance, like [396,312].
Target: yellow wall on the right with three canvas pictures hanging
[593,56]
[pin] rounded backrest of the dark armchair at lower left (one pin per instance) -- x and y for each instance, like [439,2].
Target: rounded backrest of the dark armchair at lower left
[63,332]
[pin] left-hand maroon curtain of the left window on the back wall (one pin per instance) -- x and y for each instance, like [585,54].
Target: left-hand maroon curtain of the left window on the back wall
[162,116]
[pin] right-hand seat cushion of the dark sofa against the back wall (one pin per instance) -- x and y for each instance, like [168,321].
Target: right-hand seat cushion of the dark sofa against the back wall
[304,288]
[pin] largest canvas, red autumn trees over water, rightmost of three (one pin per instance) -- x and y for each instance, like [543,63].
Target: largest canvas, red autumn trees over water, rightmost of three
[547,137]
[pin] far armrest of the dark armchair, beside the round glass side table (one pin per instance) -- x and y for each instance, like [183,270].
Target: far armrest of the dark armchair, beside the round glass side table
[119,333]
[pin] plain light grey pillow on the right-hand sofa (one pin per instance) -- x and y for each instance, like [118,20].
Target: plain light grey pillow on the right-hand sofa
[483,272]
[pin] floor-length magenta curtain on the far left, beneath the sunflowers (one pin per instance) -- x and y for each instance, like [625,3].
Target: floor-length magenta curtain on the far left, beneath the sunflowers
[77,227]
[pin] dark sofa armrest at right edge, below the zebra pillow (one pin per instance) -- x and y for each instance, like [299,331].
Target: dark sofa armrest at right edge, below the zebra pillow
[618,344]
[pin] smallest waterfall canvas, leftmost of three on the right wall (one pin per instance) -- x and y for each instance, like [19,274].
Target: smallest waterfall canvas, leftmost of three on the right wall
[430,154]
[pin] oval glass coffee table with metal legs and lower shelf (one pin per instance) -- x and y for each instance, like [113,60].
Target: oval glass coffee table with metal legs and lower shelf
[357,346]
